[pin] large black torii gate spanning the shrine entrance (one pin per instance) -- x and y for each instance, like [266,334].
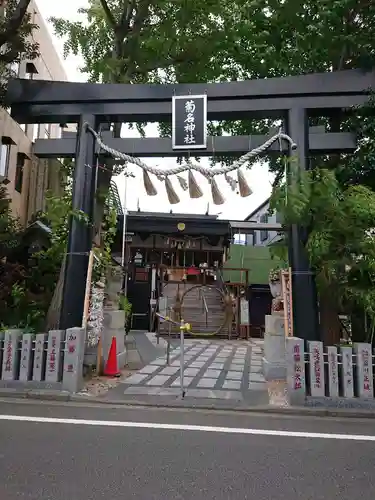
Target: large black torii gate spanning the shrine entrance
[292,99]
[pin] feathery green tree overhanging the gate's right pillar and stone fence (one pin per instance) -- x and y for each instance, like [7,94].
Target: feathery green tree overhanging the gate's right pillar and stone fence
[341,242]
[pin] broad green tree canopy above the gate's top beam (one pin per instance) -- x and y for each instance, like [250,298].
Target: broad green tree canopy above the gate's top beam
[162,41]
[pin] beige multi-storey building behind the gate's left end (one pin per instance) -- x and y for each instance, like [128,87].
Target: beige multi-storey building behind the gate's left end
[26,177]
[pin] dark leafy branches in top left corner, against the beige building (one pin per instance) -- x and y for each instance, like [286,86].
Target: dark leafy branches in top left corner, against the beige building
[16,28]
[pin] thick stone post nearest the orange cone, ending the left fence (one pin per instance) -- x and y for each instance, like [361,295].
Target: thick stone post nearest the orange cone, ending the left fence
[73,360]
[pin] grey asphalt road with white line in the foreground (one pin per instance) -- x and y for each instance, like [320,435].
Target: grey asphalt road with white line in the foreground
[56,452]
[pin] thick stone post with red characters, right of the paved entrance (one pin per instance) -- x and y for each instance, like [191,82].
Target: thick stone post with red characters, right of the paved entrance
[295,360]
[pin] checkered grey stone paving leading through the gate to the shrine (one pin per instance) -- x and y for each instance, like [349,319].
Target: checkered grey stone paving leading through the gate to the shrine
[212,369]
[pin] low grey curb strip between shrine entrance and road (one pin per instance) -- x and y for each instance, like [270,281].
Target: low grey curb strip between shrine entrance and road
[65,397]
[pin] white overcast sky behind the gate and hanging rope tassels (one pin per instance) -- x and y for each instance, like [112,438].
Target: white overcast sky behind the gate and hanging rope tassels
[132,192]
